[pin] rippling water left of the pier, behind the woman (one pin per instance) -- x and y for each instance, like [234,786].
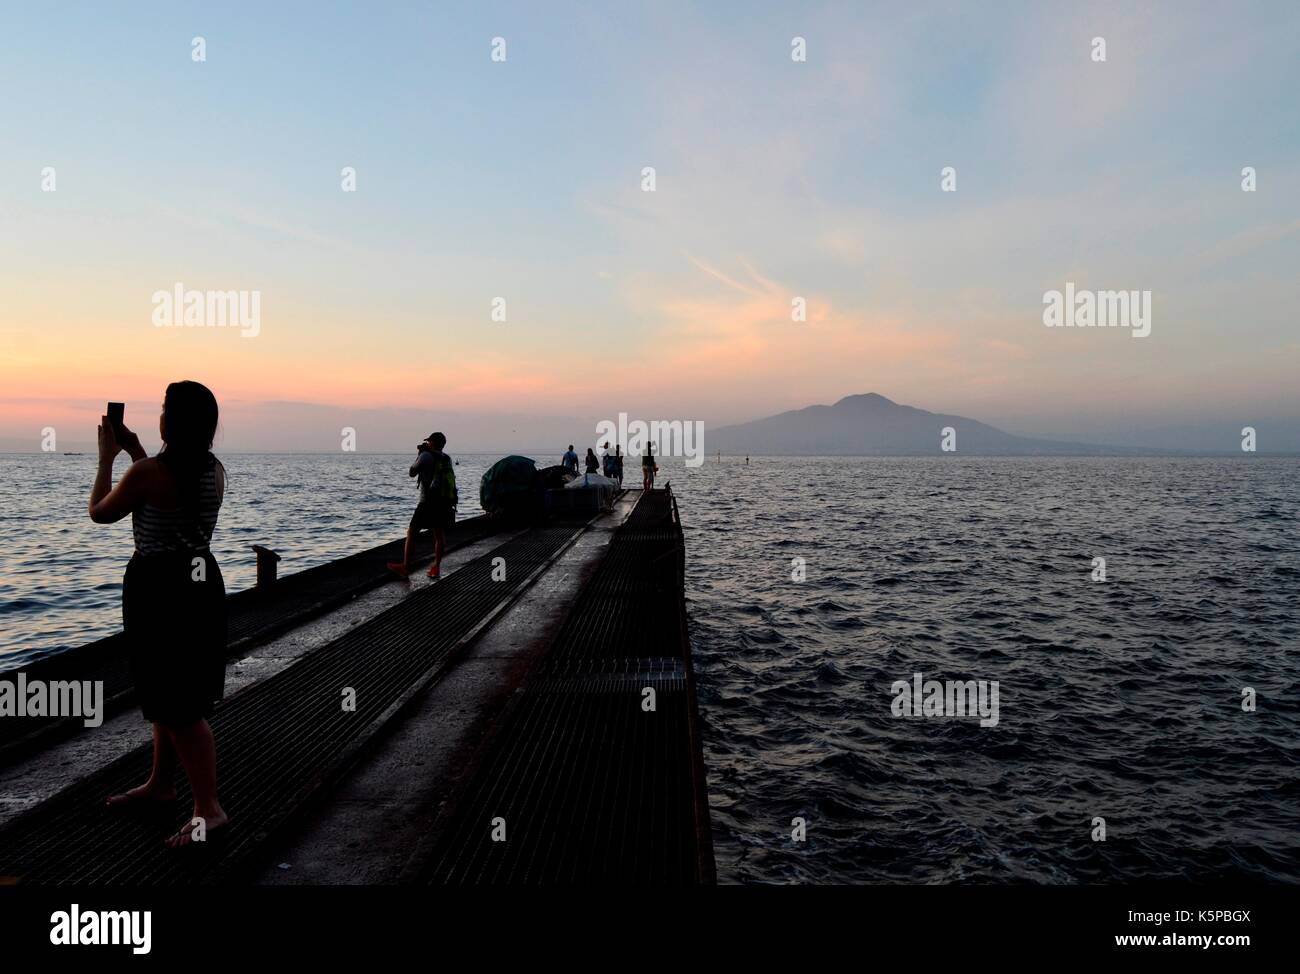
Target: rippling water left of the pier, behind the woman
[62,579]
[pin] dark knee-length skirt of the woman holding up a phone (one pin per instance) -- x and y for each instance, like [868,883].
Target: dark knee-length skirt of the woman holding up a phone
[175,621]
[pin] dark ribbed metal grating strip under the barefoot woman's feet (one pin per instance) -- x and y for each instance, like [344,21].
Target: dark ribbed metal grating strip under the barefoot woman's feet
[281,742]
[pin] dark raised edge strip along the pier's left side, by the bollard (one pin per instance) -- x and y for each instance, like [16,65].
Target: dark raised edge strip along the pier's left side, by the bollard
[255,616]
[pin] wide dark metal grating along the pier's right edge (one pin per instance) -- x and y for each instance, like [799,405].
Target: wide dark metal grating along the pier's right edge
[588,786]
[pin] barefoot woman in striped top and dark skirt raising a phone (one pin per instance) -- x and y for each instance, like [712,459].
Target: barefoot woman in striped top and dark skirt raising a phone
[174,596]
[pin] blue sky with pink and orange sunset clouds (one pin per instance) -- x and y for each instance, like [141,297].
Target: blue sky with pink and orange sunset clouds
[480,179]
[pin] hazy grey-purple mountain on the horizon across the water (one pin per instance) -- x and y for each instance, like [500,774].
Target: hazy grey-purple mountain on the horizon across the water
[873,426]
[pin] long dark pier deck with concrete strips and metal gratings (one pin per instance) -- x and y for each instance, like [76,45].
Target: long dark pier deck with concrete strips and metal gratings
[378,796]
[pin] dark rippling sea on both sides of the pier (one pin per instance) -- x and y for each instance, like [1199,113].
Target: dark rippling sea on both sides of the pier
[1139,620]
